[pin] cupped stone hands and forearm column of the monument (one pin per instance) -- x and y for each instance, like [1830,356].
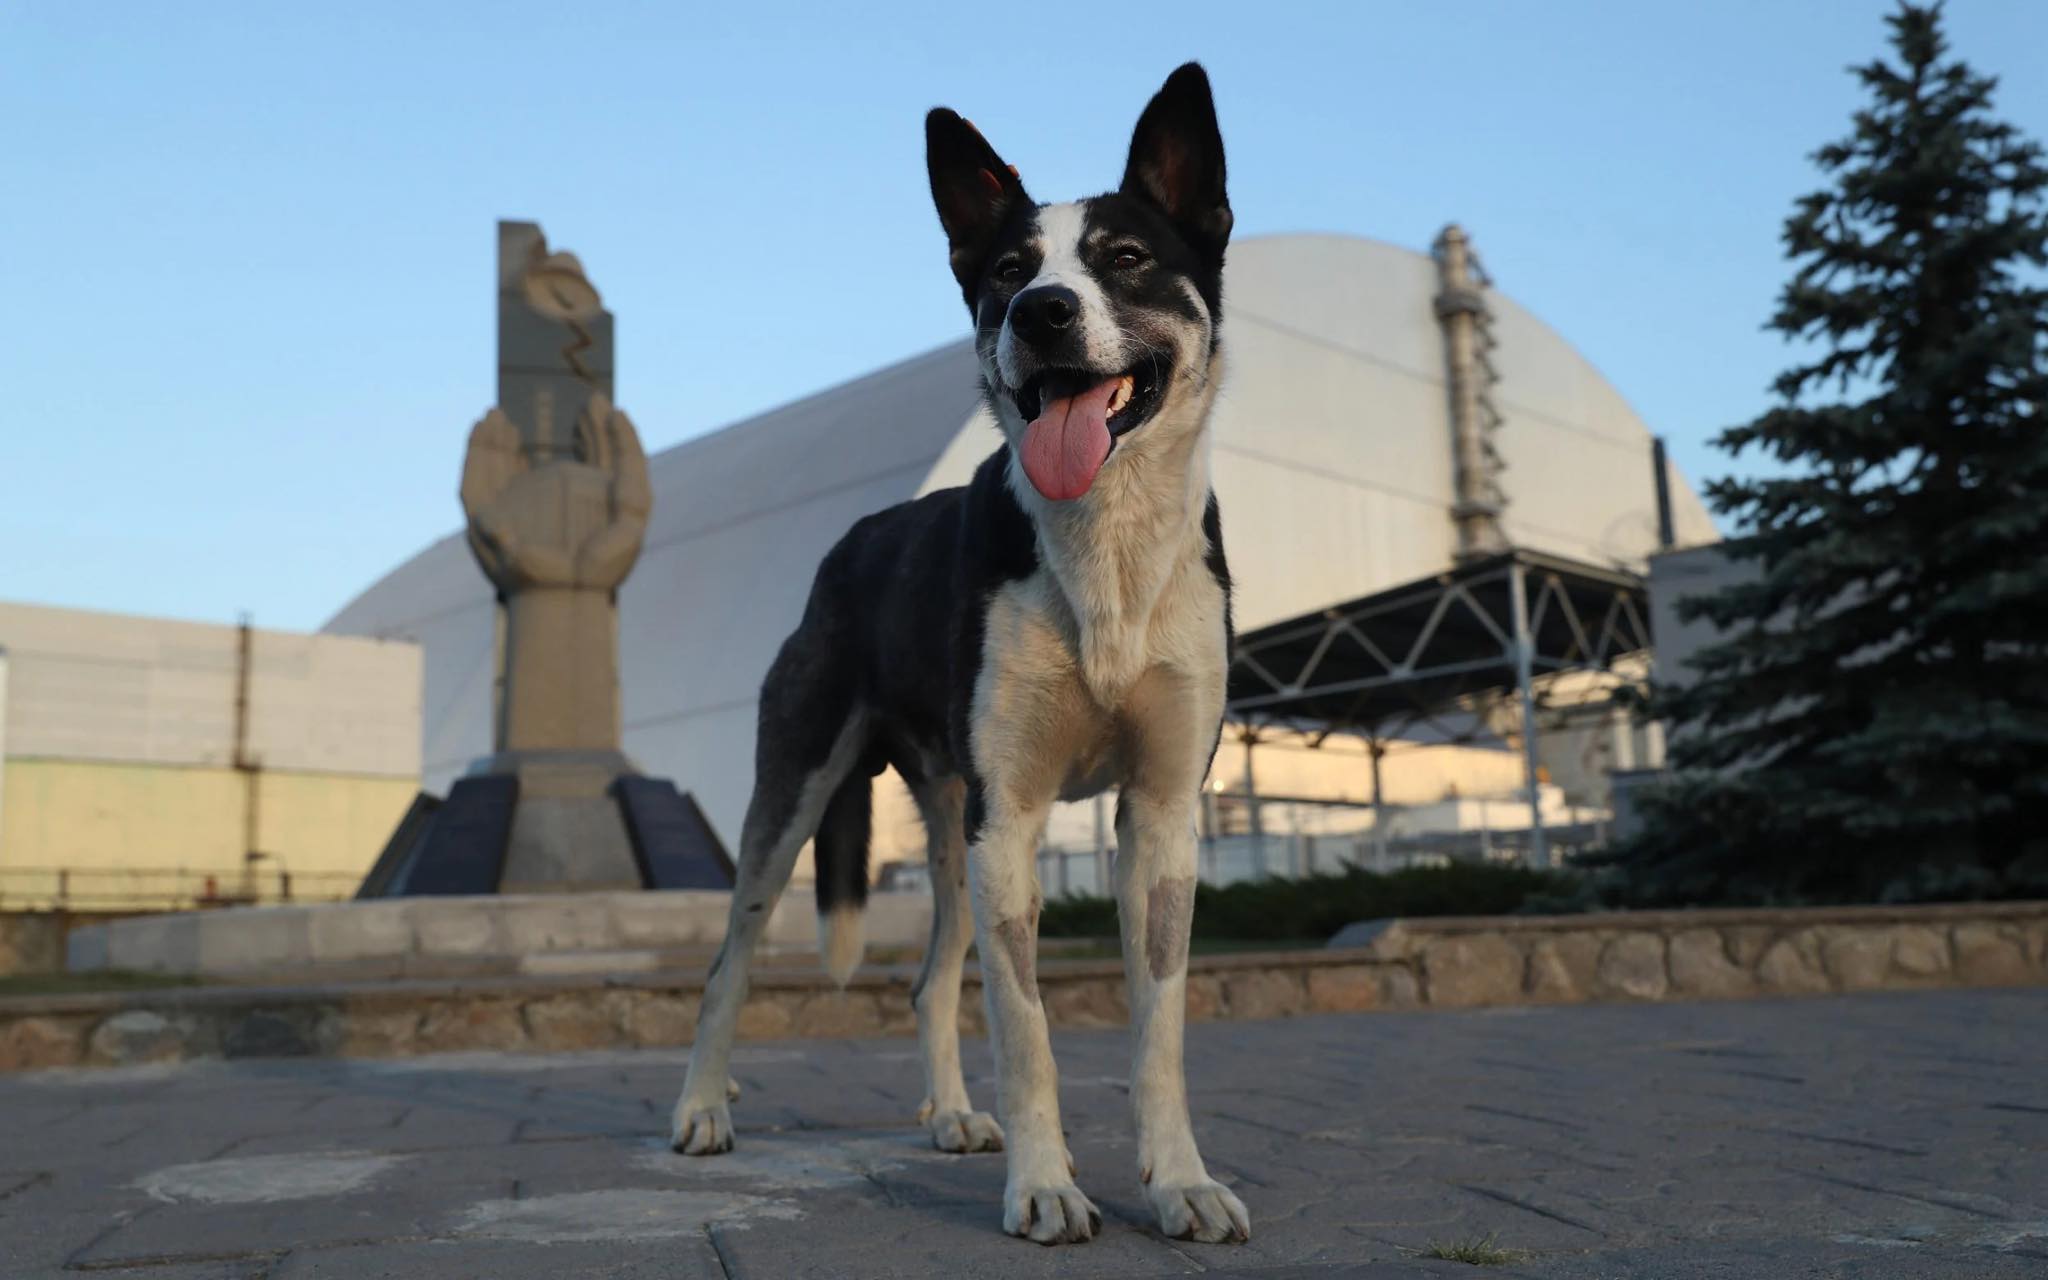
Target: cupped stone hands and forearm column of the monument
[558,536]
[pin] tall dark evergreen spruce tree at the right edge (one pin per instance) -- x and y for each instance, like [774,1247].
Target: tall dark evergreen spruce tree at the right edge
[1873,722]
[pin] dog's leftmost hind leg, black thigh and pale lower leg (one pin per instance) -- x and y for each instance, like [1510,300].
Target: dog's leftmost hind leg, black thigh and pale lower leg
[810,740]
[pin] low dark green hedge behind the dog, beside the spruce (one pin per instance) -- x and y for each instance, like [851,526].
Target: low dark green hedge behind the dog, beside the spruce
[1314,908]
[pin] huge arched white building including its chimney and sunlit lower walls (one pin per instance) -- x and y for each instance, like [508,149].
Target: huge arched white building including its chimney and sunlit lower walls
[1381,423]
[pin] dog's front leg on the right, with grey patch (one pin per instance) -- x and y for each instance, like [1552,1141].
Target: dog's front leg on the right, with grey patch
[1156,871]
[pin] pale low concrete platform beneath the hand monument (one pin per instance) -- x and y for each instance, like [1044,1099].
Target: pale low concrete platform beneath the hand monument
[421,937]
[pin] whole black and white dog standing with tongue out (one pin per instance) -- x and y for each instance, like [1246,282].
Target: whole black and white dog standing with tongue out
[1058,628]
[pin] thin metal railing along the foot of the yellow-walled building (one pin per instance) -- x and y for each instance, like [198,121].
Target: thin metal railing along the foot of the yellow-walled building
[165,888]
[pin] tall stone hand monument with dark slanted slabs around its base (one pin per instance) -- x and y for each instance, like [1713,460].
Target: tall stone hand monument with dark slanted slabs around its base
[558,499]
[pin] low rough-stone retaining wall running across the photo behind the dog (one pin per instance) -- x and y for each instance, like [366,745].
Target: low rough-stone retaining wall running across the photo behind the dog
[1383,966]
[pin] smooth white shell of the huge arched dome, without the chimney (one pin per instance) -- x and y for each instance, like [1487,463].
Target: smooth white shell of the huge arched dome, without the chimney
[1332,464]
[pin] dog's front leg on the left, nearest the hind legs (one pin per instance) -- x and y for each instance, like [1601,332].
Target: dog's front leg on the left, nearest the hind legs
[1041,1199]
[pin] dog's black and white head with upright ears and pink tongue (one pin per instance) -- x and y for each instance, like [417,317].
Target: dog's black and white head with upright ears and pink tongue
[1095,318]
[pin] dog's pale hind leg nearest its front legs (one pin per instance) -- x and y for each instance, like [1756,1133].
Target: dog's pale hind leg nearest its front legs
[947,1113]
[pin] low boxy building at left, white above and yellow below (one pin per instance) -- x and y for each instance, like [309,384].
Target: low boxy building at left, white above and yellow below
[151,763]
